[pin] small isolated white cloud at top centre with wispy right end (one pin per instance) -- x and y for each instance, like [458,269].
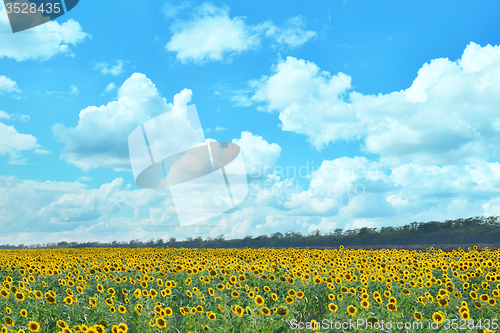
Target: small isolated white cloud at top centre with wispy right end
[211,35]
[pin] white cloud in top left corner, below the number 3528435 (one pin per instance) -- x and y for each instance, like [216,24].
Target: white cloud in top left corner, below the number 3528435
[41,42]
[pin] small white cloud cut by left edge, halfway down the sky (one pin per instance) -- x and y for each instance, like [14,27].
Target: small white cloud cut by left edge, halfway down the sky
[13,143]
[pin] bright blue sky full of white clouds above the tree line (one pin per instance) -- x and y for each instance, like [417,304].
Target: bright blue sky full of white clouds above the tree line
[400,99]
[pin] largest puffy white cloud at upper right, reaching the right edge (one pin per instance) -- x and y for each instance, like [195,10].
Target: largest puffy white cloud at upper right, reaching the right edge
[446,116]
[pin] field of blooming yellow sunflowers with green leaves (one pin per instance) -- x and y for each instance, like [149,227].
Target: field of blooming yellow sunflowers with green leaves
[249,290]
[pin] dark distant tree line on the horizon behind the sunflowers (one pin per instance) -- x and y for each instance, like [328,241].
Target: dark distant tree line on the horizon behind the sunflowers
[479,229]
